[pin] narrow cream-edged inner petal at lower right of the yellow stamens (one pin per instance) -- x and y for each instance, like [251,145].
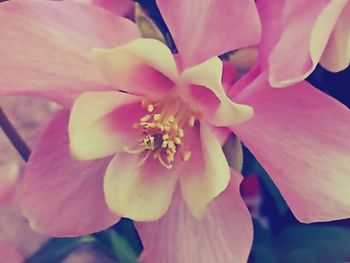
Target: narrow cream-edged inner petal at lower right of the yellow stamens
[206,174]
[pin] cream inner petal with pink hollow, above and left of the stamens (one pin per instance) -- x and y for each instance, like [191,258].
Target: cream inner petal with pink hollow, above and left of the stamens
[141,67]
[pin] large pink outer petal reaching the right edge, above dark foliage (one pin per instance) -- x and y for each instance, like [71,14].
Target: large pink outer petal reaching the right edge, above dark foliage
[301,137]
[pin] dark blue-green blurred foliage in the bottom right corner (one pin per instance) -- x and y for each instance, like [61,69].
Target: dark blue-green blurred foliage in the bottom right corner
[301,243]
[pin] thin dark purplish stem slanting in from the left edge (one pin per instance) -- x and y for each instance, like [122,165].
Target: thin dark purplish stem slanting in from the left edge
[14,137]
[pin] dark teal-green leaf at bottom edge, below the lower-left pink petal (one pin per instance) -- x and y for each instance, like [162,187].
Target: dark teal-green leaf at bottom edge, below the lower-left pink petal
[57,249]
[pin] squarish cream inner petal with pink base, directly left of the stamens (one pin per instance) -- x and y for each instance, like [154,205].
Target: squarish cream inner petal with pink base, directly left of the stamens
[101,123]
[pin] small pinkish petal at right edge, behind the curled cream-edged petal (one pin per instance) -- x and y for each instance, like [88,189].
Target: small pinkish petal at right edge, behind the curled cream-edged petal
[336,56]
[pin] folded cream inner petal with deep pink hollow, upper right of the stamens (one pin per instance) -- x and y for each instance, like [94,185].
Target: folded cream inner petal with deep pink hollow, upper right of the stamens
[208,95]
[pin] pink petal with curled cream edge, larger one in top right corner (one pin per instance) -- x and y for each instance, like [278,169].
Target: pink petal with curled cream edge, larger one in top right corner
[300,34]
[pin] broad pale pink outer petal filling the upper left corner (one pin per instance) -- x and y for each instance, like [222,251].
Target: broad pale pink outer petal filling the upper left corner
[46,47]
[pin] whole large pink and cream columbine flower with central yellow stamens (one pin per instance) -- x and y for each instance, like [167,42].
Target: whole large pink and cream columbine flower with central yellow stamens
[307,156]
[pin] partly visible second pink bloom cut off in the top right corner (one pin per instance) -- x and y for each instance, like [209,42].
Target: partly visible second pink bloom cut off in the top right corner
[298,34]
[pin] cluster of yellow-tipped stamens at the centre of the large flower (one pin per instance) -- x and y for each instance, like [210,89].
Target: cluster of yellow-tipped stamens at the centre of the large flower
[162,132]
